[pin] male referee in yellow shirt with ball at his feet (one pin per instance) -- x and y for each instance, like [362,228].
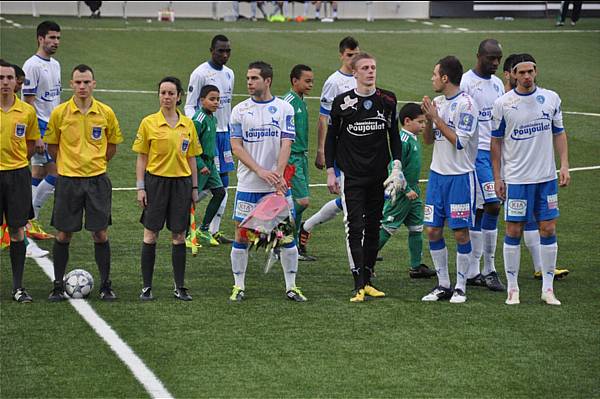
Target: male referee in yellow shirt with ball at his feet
[82,137]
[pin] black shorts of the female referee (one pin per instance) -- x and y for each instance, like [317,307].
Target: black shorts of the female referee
[170,199]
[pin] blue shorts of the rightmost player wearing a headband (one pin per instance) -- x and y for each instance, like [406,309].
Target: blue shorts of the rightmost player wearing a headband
[531,202]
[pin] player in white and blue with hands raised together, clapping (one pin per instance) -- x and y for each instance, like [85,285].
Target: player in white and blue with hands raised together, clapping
[452,129]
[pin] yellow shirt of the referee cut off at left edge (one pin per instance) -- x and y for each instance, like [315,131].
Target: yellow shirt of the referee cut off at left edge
[17,126]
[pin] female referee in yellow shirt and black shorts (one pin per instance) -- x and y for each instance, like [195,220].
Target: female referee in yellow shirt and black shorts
[167,181]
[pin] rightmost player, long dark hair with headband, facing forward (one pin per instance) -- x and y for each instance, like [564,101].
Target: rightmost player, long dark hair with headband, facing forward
[527,127]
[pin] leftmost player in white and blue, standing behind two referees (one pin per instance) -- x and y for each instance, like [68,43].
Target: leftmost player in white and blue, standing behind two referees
[41,89]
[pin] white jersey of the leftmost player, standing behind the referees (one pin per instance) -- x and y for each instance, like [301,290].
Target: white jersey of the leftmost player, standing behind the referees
[42,80]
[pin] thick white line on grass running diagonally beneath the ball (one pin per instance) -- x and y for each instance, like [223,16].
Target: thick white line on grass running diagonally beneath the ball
[141,372]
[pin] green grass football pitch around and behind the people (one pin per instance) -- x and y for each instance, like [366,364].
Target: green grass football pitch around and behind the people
[327,347]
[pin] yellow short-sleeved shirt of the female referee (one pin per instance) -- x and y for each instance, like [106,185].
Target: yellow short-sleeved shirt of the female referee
[168,148]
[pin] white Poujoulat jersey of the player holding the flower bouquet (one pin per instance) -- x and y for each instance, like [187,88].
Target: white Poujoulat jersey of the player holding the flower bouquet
[261,126]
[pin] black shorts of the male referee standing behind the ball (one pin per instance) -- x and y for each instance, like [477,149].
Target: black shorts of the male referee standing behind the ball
[74,194]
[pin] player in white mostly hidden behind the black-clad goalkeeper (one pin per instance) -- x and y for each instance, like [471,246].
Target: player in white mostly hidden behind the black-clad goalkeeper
[337,83]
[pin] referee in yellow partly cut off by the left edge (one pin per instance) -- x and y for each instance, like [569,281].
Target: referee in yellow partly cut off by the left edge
[18,133]
